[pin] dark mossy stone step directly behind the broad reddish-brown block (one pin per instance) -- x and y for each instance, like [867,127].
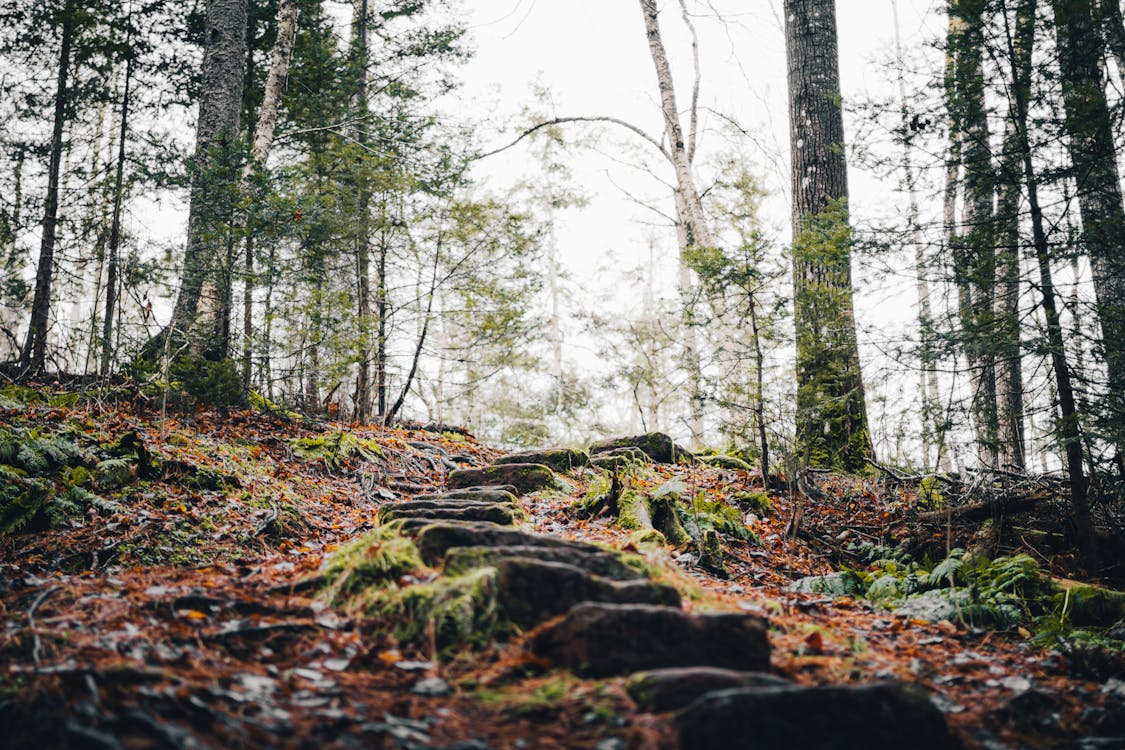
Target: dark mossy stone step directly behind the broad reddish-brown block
[530,592]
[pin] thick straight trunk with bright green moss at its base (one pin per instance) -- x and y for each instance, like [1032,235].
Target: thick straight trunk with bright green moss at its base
[832,408]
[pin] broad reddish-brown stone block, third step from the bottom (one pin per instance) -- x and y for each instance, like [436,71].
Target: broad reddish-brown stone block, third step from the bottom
[605,640]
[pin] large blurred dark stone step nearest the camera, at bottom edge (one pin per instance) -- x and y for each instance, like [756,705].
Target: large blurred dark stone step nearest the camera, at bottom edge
[883,717]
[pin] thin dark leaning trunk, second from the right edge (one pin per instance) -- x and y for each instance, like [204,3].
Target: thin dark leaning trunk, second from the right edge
[1020,44]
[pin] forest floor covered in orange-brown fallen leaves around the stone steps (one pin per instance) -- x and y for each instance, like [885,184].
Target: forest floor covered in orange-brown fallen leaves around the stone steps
[187,612]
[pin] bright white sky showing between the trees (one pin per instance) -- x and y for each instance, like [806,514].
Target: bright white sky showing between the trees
[595,59]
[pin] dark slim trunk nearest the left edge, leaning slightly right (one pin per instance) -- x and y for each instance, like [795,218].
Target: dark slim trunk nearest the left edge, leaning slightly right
[35,348]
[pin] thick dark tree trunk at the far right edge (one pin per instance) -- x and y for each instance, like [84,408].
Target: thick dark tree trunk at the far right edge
[1094,161]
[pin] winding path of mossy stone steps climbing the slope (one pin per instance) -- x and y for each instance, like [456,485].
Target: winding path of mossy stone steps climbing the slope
[587,611]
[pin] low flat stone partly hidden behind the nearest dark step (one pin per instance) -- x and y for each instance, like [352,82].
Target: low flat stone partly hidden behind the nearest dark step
[671,690]
